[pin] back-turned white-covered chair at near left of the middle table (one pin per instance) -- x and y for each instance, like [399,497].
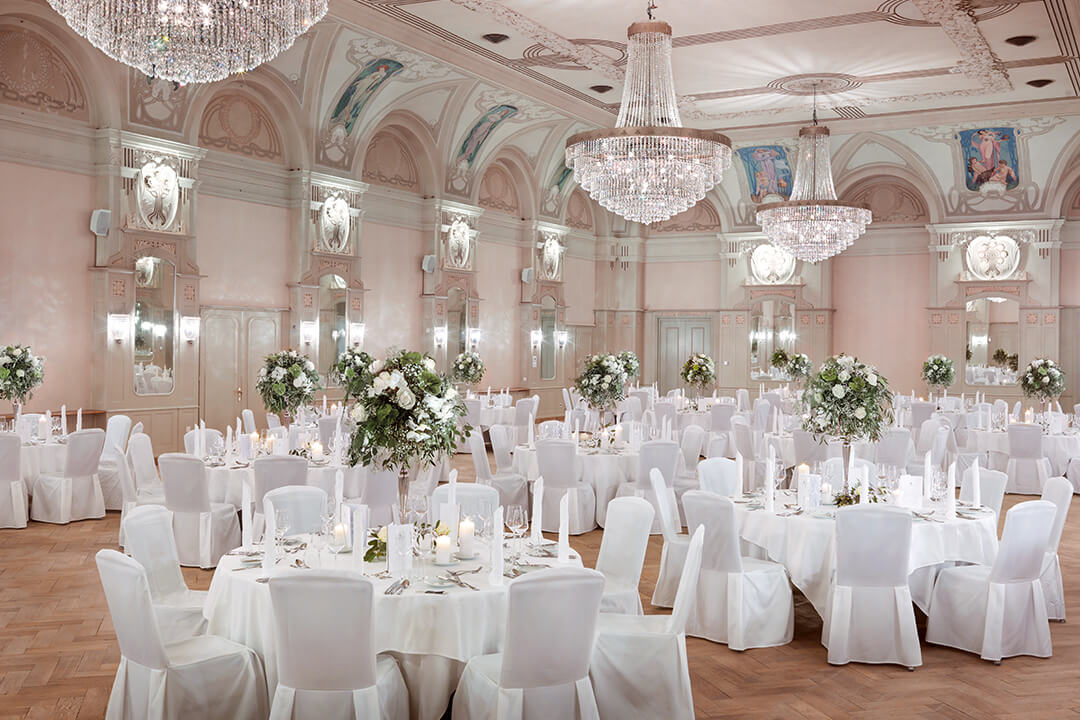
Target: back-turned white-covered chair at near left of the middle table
[558,463]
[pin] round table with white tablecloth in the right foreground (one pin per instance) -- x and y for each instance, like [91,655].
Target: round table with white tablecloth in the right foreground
[806,545]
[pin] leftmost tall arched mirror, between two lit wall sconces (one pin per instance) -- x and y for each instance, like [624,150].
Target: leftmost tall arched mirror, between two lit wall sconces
[155,344]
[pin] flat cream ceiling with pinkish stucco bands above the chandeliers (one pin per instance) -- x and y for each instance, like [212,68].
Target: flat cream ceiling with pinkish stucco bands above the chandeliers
[755,64]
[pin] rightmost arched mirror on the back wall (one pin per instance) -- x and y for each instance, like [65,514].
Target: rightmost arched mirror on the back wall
[993,351]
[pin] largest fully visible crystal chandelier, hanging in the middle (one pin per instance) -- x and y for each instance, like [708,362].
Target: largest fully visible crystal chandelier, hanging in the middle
[649,168]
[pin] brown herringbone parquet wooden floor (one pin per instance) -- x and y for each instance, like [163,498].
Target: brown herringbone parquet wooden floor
[59,654]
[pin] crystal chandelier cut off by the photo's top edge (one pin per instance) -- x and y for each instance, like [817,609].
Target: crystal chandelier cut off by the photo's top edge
[192,40]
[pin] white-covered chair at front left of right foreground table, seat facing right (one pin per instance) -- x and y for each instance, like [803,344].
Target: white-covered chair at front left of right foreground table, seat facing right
[745,603]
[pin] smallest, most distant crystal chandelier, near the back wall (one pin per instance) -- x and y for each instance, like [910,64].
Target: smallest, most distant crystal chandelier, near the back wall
[814,225]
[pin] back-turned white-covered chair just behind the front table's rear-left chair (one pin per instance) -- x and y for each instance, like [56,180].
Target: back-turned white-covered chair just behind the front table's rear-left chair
[205,532]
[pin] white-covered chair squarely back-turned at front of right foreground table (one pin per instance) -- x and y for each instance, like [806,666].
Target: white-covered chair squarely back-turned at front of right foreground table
[870,618]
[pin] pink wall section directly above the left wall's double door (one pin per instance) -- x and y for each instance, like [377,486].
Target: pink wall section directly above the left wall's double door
[244,253]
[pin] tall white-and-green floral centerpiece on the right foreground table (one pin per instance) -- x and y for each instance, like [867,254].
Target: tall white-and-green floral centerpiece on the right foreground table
[847,401]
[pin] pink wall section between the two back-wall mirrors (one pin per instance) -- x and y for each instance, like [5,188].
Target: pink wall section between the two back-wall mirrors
[882,315]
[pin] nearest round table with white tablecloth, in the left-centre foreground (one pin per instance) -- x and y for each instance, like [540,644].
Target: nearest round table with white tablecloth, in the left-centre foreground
[431,636]
